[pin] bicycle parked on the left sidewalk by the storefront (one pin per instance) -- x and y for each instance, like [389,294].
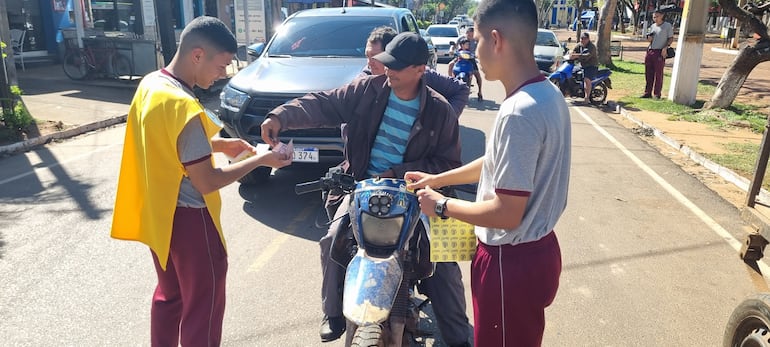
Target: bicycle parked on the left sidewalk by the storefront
[86,62]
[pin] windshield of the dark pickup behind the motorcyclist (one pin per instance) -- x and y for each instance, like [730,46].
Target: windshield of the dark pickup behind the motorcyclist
[325,36]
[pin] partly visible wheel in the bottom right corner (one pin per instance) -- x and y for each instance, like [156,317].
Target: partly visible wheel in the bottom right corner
[749,324]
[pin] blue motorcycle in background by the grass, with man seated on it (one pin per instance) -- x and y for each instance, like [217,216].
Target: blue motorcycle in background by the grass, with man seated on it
[569,79]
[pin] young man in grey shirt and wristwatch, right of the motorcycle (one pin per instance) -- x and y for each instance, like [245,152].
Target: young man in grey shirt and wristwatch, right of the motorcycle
[523,179]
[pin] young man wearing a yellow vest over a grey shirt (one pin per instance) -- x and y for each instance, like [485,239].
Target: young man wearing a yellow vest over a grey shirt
[168,188]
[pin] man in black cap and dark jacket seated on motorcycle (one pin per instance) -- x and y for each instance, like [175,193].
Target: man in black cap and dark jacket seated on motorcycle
[395,124]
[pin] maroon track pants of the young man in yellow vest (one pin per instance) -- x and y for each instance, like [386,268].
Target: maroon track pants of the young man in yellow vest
[189,301]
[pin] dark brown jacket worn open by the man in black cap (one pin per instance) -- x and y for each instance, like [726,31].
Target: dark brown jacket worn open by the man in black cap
[434,142]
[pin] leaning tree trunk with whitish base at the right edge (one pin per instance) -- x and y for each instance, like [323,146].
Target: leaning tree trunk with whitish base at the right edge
[736,74]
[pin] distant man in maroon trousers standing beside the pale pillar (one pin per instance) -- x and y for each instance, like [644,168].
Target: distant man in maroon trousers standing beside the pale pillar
[660,36]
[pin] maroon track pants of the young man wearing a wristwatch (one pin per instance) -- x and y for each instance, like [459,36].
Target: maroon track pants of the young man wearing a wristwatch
[512,286]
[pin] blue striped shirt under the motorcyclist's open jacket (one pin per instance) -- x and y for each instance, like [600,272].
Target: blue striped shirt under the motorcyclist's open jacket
[390,143]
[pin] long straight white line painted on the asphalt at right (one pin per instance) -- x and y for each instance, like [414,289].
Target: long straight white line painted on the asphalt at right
[718,229]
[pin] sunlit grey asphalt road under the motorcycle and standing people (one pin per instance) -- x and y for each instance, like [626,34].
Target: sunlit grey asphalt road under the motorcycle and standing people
[649,254]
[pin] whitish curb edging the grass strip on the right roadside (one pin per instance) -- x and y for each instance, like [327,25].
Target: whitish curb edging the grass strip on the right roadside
[727,174]
